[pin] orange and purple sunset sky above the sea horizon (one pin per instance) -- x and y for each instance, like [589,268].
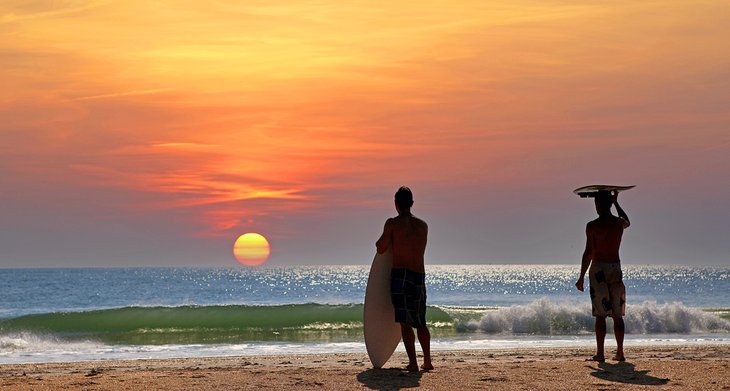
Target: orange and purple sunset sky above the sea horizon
[136,133]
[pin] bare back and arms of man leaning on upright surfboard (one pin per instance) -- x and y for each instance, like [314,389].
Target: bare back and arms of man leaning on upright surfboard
[407,234]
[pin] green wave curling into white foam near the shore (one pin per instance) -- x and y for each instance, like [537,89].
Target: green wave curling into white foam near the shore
[227,324]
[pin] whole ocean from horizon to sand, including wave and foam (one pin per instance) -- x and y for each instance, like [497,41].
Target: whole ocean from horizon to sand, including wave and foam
[52,315]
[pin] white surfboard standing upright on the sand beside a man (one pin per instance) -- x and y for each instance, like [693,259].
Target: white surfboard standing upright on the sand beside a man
[382,333]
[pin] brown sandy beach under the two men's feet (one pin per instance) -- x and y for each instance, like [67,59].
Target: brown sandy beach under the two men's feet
[656,368]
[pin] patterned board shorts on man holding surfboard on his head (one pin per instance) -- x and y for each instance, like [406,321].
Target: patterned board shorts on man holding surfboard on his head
[608,293]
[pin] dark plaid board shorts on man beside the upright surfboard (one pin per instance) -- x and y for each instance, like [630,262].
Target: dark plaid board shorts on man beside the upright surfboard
[408,293]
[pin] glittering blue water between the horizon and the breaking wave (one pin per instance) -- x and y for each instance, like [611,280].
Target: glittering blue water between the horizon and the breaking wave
[51,290]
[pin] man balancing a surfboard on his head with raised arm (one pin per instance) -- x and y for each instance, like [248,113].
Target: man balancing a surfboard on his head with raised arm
[608,294]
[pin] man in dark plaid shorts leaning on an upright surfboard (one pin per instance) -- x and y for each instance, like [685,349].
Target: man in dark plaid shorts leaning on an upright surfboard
[406,235]
